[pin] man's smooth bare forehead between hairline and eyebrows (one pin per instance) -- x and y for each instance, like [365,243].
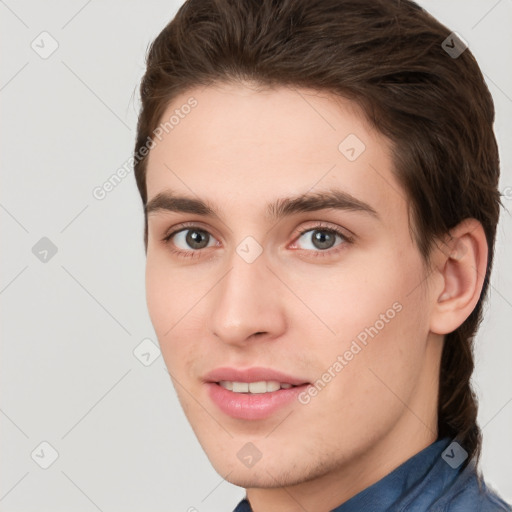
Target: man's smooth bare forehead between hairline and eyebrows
[241,142]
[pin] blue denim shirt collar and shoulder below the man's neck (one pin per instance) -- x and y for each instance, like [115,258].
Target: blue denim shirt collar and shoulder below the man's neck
[433,480]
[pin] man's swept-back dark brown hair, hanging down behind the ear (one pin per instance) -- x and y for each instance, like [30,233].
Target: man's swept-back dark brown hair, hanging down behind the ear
[387,56]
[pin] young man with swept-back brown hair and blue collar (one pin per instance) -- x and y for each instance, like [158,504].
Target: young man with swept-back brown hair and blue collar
[319,182]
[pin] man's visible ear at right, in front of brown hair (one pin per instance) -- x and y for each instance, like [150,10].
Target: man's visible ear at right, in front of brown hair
[461,262]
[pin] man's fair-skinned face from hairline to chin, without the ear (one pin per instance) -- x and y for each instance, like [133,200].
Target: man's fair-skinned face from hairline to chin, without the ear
[273,279]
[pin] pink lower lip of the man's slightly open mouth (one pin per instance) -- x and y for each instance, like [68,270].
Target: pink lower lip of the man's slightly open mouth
[249,406]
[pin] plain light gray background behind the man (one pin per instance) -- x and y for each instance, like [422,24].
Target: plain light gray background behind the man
[71,324]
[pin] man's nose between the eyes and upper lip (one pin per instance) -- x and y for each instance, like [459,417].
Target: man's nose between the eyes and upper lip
[248,303]
